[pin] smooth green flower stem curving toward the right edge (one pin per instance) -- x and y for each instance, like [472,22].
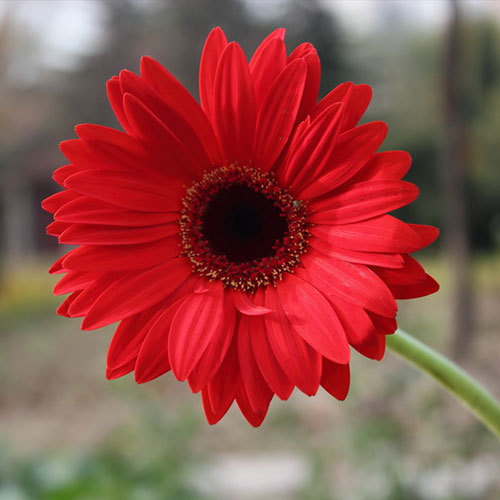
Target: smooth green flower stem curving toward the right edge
[448,374]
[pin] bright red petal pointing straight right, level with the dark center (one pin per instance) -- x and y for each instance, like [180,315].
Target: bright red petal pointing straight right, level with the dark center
[380,234]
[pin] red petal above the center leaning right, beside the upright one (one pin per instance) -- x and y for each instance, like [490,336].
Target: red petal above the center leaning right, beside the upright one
[279,113]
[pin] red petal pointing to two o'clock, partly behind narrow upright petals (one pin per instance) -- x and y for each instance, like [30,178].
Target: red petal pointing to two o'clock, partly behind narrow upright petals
[352,151]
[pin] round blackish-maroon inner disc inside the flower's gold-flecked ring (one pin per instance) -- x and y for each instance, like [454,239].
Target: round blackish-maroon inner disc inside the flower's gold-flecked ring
[243,224]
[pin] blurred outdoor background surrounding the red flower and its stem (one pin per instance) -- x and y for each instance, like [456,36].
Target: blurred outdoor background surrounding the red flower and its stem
[67,433]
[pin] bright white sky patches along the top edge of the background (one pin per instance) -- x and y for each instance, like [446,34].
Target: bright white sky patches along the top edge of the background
[69,28]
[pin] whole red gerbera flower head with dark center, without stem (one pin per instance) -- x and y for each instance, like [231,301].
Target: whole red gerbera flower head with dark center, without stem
[243,244]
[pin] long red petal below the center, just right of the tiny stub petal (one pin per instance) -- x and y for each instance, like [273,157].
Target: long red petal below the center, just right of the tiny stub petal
[299,361]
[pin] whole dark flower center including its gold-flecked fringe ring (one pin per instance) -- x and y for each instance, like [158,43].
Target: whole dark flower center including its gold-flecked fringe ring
[239,226]
